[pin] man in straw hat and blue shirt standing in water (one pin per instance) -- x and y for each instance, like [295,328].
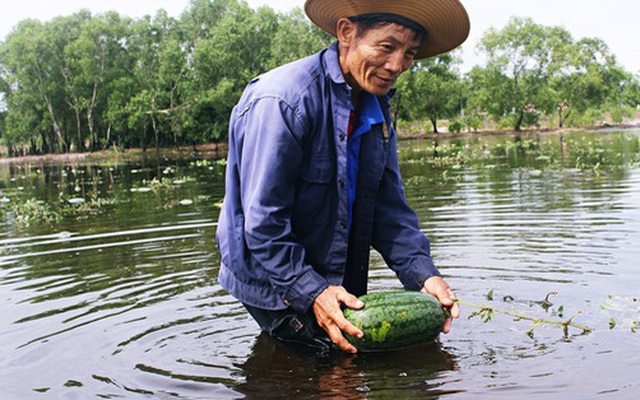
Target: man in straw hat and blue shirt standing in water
[312,173]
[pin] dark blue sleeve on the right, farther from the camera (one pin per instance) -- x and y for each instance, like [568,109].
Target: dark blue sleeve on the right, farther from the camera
[397,236]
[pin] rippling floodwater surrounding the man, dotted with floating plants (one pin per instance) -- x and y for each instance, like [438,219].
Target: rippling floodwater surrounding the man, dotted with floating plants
[108,282]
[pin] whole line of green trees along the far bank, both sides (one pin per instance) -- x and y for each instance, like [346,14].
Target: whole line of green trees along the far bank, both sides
[89,82]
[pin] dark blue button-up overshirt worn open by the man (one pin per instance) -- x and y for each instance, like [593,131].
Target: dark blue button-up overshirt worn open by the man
[283,231]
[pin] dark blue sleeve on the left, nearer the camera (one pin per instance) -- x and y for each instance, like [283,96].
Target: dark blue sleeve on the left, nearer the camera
[269,157]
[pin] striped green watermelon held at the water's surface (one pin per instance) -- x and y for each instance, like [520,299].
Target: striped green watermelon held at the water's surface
[395,319]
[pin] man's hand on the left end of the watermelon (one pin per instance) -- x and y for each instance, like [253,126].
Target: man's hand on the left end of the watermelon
[326,308]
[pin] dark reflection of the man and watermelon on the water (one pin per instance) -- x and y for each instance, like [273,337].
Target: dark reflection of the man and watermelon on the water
[289,370]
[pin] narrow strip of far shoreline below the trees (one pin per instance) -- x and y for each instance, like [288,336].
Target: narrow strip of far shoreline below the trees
[218,150]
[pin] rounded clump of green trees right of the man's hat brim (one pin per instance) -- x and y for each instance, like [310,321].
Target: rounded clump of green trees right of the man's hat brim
[533,70]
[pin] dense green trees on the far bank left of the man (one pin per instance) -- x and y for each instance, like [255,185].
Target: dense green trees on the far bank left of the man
[93,81]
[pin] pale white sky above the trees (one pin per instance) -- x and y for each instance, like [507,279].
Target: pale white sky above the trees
[614,21]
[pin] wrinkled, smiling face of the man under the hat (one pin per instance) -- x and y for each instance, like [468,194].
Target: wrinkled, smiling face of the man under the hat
[373,61]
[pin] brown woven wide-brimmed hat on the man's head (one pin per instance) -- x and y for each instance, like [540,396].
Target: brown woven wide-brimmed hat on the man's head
[446,21]
